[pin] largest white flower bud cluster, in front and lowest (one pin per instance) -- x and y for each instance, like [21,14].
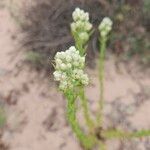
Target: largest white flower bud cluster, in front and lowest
[69,69]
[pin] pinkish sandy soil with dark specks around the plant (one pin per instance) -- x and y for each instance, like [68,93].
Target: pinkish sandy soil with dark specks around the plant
[36,111]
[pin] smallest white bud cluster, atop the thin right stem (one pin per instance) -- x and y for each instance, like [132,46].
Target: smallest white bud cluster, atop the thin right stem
[105,26]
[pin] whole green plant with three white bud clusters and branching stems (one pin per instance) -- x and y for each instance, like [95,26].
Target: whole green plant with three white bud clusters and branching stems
[69,72]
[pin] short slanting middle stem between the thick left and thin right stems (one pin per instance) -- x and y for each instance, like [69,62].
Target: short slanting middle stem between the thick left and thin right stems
[84,104]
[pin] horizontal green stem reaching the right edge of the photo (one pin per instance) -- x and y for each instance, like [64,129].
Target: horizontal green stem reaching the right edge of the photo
[110,134]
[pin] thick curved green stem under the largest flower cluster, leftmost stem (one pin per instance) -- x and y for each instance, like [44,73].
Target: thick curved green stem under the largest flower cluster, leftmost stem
[86,141]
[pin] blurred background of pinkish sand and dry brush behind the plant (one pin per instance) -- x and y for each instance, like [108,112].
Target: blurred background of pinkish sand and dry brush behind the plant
[32,111]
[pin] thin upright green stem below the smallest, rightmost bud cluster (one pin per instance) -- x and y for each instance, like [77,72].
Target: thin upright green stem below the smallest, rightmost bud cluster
[101,79]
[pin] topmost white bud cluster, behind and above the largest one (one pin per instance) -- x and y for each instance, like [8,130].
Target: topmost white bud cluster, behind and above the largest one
[81,26]
